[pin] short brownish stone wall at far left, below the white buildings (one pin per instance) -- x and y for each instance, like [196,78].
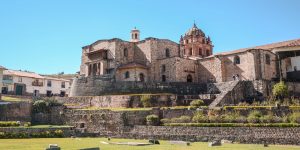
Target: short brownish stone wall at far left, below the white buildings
[16,111]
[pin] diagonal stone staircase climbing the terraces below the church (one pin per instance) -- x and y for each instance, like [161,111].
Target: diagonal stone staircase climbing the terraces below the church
[225,88]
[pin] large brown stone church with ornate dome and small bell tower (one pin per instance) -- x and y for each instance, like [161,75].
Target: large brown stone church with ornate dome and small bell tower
[190,60]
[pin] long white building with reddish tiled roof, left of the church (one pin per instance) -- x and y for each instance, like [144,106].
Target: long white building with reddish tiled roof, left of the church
[32,84]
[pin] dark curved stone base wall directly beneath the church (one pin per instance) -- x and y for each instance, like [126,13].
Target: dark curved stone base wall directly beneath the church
[95,86]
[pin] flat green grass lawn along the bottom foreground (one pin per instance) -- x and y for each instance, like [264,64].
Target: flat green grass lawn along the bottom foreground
[77,143]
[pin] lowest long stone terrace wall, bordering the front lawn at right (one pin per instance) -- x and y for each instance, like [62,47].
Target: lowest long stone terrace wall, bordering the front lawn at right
[253,135]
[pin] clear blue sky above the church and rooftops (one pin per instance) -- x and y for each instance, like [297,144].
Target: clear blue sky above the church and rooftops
[46,36]
